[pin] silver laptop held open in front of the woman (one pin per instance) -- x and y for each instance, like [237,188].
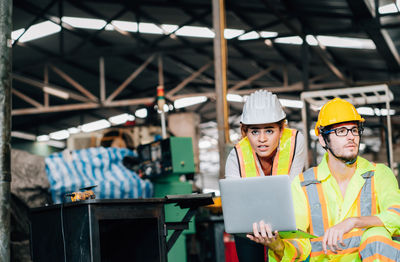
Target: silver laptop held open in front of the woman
[267,198]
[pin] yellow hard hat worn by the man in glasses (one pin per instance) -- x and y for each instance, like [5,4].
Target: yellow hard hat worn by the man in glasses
[336,111]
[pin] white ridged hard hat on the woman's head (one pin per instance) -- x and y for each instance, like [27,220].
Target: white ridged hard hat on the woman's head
[262,107]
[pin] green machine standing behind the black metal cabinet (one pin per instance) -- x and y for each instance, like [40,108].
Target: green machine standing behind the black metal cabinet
[178,159]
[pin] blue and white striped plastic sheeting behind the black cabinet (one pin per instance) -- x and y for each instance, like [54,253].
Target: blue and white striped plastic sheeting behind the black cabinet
[69,171]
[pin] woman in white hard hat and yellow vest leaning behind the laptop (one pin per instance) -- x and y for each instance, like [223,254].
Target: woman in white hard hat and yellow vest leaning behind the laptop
[267,148]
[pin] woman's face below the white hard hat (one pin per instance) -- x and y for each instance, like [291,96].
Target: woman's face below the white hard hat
[264,138]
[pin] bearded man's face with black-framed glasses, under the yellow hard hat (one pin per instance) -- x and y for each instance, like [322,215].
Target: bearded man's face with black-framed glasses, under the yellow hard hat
[343,146]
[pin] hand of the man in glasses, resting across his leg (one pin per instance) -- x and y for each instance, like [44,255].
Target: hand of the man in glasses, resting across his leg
[334,235]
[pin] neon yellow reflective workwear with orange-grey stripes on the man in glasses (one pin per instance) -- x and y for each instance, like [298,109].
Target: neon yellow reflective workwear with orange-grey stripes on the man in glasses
[319,204]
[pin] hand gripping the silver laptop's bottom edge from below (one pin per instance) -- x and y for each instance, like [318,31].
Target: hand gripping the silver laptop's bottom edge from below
[263,235]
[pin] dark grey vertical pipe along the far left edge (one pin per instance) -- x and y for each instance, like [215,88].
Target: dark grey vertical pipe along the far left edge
[5,125]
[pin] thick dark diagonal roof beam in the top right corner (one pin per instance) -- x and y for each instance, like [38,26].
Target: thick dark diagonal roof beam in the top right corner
[365,16]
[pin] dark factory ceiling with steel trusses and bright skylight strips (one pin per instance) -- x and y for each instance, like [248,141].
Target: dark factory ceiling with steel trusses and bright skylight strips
[77,61]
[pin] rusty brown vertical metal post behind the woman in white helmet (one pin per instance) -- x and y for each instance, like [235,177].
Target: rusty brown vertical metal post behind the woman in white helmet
[220,66]
